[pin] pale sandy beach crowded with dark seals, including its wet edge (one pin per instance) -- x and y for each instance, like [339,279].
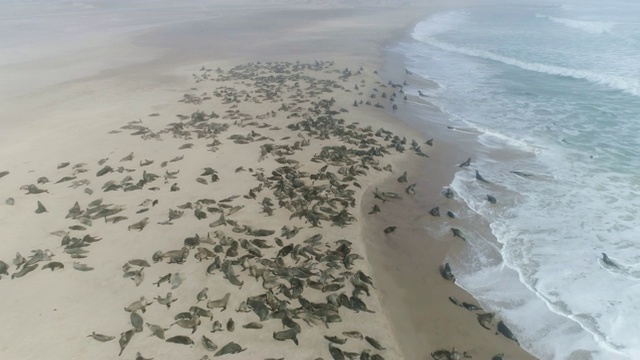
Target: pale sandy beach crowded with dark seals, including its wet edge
[240,195]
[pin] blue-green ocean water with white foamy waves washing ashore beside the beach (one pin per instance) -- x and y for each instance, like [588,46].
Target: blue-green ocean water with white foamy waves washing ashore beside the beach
[552,88]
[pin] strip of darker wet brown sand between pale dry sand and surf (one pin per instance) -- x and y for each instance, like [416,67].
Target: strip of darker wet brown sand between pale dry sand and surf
[408,259]
